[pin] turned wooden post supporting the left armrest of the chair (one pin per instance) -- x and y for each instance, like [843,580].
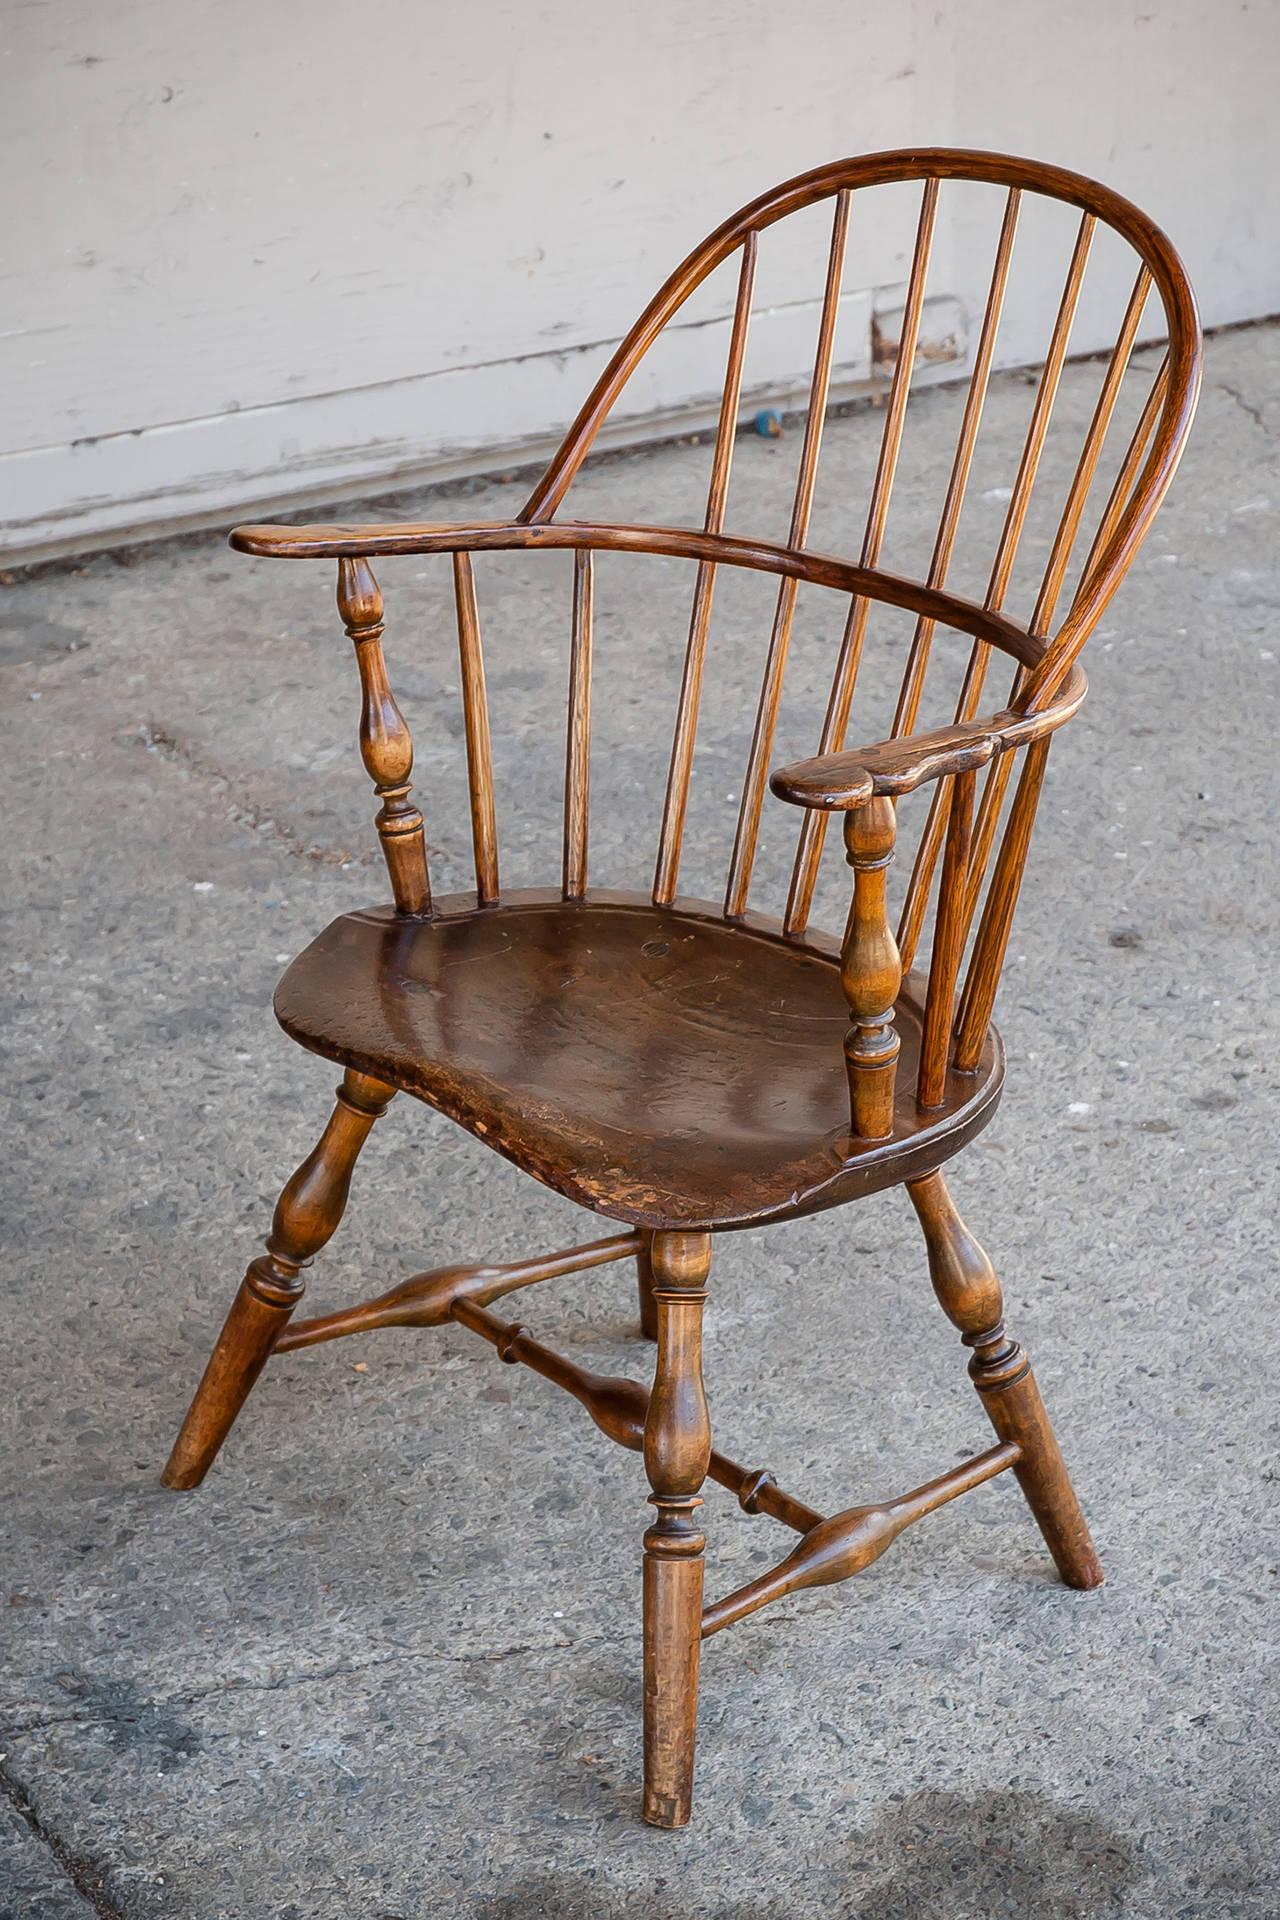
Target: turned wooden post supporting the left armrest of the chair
[387,744]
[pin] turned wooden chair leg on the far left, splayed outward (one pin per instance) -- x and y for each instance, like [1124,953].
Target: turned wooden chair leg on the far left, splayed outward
[306,1218]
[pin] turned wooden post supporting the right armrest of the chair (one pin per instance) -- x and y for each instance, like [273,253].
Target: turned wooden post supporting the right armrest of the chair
[870,972]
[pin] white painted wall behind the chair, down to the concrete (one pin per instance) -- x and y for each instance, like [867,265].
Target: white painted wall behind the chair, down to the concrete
[270,251]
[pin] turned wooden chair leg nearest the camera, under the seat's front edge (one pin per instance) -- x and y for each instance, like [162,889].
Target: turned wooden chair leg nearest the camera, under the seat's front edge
[678,1441]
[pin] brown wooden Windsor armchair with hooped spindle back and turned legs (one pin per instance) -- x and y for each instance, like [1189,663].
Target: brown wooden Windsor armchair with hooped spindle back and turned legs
[571,1040]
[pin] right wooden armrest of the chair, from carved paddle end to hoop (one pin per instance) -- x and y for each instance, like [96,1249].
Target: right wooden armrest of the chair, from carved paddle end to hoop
[840,782]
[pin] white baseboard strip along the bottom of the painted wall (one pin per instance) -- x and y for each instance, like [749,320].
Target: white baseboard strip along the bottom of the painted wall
[406,433]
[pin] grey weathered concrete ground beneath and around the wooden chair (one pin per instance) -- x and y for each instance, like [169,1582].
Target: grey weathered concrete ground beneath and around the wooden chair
[387,1662]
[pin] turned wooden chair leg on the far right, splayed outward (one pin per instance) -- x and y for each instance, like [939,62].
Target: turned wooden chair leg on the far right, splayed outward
[970,1295]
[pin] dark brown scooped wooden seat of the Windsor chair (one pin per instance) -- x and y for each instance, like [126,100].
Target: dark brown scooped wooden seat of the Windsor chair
[653,1065]
